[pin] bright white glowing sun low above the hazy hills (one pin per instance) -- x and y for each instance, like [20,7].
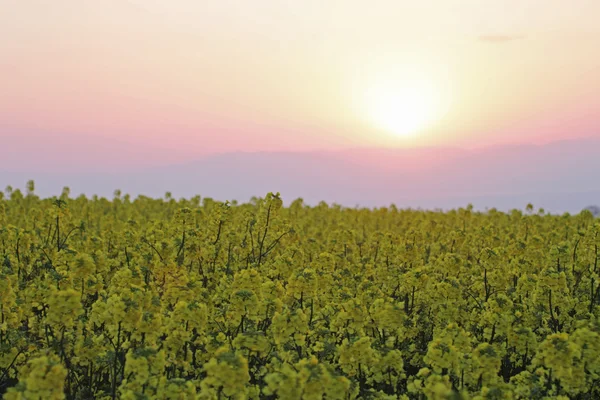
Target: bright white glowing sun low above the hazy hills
[403,109]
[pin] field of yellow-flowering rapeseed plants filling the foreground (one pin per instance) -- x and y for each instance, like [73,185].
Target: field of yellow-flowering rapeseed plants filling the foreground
[197,299]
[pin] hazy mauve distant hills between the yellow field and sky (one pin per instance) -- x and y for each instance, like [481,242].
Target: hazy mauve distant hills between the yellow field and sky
[559,176]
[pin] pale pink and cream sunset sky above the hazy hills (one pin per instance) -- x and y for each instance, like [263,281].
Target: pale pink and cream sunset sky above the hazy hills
[178,79]
